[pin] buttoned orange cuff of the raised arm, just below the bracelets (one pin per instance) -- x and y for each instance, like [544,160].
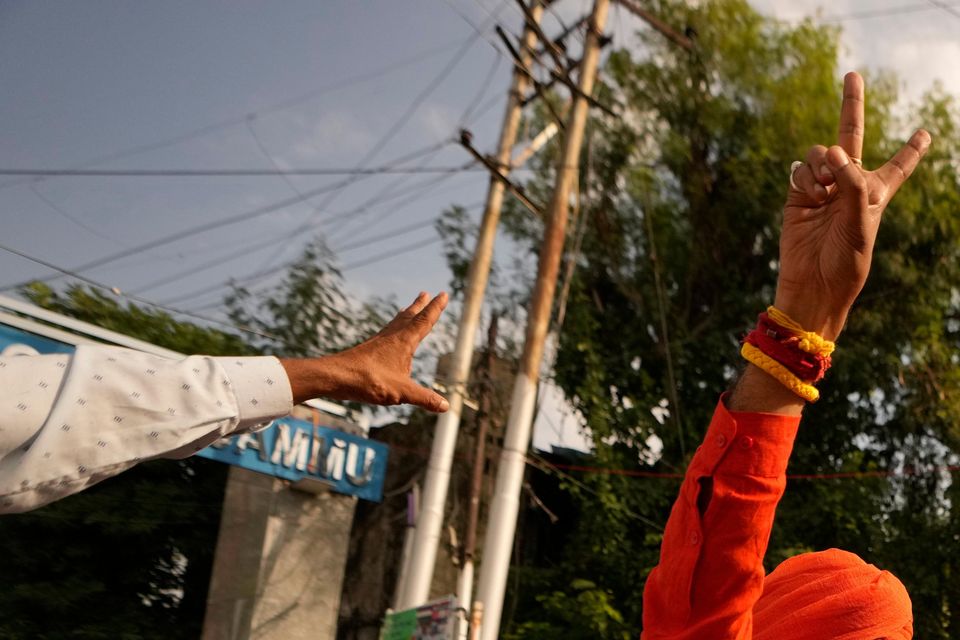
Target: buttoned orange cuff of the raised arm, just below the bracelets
[755,444]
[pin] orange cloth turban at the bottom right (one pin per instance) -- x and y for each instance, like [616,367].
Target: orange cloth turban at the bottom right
[832,594]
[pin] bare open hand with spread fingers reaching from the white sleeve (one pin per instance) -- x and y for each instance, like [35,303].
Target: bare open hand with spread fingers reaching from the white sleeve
[377,370]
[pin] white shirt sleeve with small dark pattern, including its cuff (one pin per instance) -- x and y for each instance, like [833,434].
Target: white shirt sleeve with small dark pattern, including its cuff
[68,421]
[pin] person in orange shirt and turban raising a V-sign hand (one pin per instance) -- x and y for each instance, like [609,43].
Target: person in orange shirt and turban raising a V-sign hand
[710,582]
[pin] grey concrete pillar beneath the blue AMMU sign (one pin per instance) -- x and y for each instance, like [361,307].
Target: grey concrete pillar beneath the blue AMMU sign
[280,561]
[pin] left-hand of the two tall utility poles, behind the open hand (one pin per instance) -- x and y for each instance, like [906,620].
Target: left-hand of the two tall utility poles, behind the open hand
[415,584]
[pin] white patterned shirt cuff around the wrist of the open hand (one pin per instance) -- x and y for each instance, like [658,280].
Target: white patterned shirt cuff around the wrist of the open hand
[261,387]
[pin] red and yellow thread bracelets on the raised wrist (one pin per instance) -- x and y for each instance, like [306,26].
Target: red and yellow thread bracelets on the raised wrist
[798,359]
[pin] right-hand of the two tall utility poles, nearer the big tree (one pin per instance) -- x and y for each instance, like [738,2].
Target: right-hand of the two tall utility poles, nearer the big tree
[502,524]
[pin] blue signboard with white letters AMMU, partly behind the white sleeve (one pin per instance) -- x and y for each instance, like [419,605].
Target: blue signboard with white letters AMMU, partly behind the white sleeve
[290,449]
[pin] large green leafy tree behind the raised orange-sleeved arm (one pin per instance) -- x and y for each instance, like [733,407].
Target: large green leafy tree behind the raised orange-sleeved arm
[682,202]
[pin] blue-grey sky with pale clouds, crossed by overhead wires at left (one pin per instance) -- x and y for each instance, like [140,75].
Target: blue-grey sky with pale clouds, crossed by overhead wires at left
[313,84]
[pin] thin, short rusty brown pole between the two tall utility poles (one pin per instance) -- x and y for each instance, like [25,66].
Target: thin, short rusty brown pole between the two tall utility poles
[465,586]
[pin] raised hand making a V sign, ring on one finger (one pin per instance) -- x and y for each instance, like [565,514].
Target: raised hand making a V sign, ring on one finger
[831,219]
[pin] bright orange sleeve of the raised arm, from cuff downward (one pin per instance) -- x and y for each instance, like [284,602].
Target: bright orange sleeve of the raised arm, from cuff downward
[711,560]
